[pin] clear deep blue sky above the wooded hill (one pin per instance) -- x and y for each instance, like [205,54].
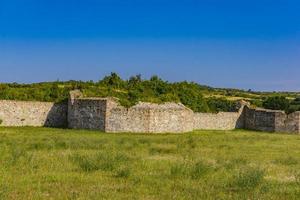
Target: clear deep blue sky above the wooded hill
[243,44]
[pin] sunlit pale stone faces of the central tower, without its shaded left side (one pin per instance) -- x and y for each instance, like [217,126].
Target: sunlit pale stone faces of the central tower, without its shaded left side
[150,118]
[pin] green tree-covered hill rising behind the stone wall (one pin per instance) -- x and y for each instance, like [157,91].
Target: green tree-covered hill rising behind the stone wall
[198,97]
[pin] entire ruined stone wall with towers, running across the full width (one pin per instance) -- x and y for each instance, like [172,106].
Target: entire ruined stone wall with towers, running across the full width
[106,114]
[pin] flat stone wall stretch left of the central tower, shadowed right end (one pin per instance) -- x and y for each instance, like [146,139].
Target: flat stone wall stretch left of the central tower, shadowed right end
[28,113]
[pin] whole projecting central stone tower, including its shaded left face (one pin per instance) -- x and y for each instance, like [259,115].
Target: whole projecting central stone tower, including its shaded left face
[106,114]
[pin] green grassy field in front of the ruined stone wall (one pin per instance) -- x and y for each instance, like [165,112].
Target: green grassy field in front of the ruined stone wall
[42,163]
